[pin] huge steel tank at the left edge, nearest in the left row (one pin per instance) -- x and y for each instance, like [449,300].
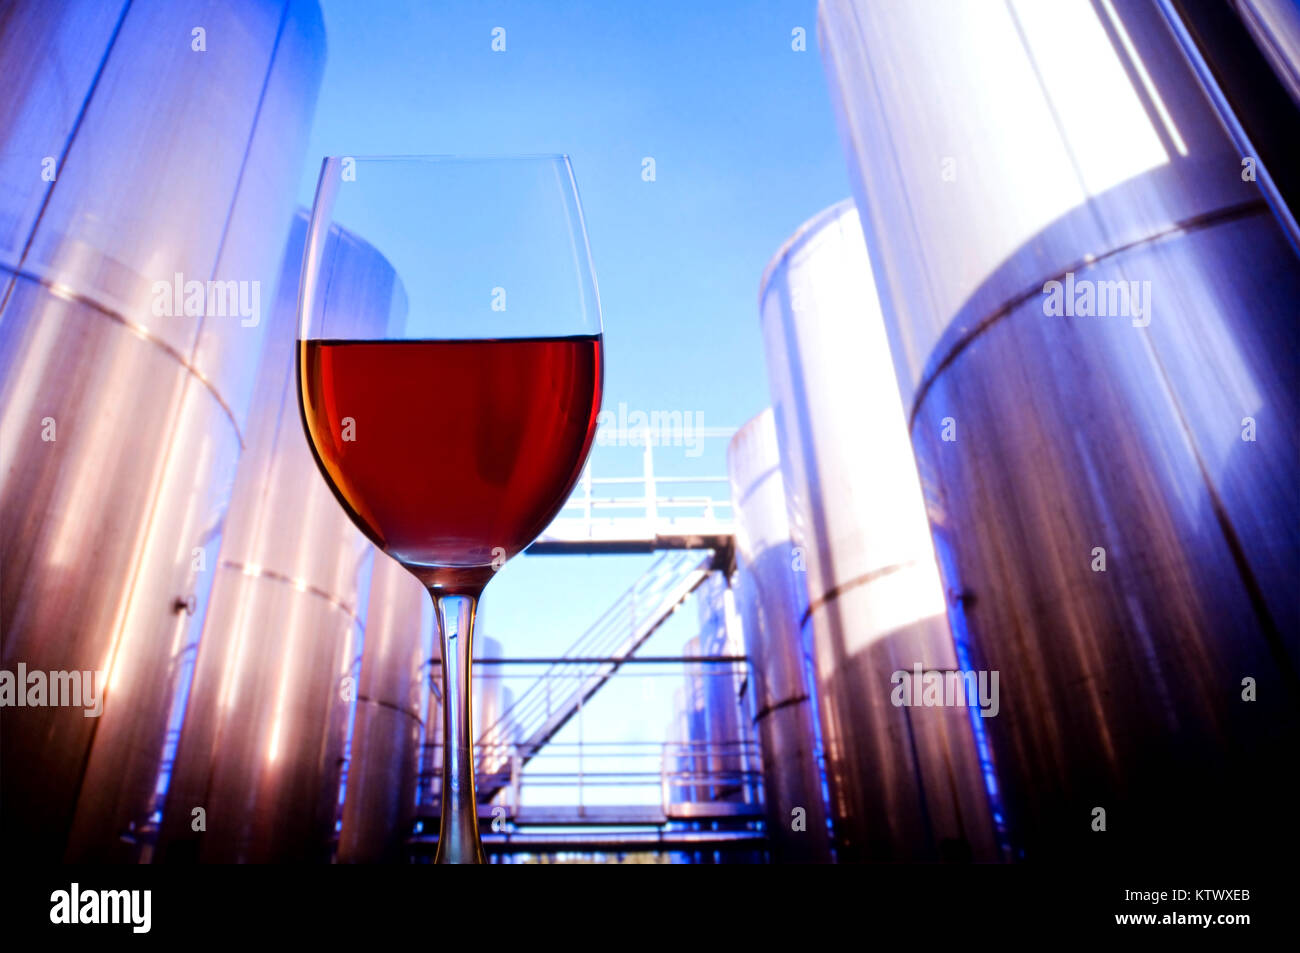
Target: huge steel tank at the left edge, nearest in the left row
[135,164]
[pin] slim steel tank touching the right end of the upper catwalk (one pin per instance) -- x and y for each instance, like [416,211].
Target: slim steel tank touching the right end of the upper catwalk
[772,601]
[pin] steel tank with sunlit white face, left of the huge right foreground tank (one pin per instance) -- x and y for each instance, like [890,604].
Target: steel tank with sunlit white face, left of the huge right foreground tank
[907,782]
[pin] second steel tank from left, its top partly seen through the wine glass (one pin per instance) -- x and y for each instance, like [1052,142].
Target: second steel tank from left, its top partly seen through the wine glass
[274,686]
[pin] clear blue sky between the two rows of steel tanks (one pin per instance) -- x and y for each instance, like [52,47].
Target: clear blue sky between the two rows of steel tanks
[746,150]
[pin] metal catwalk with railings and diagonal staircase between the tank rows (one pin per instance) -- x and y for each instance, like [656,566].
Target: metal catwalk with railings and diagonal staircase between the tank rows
[539,795]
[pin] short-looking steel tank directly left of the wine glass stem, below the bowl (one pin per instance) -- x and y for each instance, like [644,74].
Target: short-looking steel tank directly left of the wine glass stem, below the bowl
[389,722]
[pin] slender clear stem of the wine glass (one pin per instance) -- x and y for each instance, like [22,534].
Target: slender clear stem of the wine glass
[458,838]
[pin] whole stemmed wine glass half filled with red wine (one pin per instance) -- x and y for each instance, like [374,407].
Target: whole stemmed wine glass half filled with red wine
[452,400]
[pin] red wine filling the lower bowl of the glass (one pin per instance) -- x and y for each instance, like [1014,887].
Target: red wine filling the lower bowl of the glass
[452,456]
